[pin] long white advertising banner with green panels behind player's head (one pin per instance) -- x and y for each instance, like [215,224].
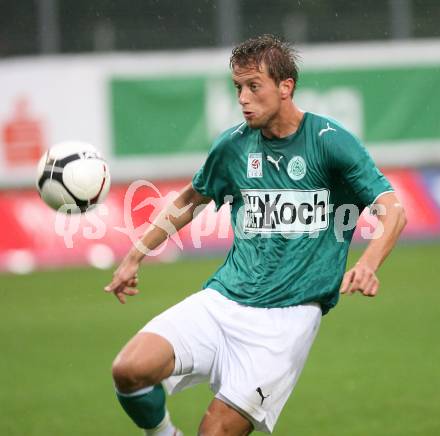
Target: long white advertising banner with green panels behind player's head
[154,116]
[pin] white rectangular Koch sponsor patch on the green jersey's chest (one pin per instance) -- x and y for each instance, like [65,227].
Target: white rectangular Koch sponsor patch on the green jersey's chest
[285,211]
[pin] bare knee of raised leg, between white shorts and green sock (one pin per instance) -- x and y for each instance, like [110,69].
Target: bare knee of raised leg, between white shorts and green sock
[146,360]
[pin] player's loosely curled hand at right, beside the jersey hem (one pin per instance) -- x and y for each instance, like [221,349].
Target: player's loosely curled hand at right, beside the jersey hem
[360,278]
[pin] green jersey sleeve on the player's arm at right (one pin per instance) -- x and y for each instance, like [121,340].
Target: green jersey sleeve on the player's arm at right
[354,165]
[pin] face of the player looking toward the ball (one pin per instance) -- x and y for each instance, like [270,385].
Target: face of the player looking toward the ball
[258,95]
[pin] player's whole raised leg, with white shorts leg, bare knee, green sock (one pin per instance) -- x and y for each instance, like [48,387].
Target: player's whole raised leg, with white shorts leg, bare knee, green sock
[178,346]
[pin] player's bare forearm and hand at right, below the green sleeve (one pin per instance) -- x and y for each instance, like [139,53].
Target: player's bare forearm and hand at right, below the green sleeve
[362,277]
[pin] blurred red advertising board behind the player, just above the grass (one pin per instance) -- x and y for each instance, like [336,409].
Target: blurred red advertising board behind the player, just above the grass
[32,235]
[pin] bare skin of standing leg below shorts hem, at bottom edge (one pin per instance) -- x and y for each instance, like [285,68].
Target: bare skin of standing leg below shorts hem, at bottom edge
[221,419]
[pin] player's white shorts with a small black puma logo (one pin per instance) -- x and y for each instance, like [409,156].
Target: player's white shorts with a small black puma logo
[252,357]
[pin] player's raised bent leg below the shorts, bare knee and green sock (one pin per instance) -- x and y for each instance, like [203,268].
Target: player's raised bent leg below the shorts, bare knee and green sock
[137,371]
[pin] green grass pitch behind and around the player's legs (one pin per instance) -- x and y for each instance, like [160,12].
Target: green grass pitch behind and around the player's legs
[373,370]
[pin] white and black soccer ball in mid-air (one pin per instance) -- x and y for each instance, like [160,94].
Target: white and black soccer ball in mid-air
[72,177]
